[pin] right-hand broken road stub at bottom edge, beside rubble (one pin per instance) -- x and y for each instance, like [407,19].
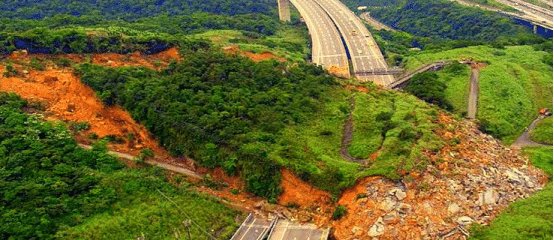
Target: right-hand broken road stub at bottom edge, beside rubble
[286,230]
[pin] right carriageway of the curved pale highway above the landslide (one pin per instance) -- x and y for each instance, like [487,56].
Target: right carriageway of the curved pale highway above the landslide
[368,62]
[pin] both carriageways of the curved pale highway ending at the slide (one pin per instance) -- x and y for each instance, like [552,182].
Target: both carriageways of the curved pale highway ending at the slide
[330,22]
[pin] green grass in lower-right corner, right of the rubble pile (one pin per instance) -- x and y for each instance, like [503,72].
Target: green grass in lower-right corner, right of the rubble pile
[529,218]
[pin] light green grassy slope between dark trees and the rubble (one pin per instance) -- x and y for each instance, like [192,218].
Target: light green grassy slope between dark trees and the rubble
[396,127]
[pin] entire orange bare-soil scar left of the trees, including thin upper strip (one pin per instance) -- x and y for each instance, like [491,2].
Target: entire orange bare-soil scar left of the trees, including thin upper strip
[67,99]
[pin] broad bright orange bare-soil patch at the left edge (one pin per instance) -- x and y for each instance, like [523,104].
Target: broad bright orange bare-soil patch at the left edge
[67,99]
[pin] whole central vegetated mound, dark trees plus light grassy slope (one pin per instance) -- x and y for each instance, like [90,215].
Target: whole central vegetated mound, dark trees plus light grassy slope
[254,118]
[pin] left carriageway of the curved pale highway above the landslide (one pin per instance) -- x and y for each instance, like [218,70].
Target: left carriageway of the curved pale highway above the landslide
[327,47]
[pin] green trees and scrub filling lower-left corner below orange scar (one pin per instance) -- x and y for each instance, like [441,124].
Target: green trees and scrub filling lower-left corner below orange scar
[52,188]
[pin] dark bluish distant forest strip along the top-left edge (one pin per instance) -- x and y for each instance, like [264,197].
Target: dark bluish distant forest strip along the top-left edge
[130,9]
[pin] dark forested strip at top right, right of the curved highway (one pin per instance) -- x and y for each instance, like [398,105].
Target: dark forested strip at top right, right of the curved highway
[444,19]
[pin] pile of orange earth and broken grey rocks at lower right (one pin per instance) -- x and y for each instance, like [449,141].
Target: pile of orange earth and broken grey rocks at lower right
[469,181]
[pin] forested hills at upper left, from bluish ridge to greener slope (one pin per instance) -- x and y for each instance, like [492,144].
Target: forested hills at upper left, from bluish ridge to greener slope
[115,26]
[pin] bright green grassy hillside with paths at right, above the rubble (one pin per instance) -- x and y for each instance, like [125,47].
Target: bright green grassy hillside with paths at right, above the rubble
[516,83]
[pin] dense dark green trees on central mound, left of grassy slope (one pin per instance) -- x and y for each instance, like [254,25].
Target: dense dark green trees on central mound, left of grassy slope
[221,110]
